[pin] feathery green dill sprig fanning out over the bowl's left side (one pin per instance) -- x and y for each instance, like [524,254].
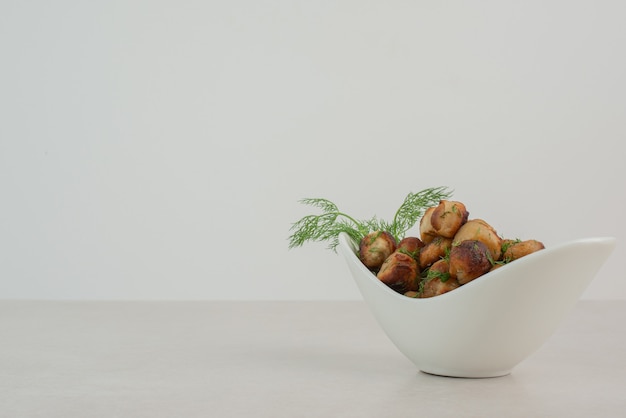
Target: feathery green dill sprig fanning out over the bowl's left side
[331,222]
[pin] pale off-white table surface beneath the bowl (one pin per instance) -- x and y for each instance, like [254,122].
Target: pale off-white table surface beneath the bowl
[282,359]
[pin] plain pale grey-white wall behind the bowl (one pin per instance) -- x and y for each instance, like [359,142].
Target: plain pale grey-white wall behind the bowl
[158,149]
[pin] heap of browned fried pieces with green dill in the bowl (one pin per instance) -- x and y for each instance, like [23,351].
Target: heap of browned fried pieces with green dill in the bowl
[452,249]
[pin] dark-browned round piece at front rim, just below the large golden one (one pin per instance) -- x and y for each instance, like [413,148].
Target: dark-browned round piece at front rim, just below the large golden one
[468,260]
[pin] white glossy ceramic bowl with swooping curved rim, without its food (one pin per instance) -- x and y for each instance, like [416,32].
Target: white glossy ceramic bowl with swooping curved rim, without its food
[488,326]
